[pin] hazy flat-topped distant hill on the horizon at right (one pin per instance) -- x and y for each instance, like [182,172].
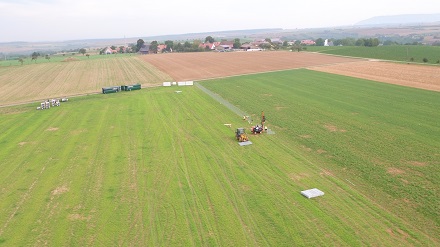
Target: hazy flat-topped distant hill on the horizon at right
[400,19]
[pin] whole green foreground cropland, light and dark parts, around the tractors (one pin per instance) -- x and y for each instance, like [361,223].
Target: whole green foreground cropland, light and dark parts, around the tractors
[159,168]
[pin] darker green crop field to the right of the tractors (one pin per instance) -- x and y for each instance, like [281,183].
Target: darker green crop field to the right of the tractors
[381,137]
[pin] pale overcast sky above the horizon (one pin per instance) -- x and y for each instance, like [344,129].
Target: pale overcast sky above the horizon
[58,20]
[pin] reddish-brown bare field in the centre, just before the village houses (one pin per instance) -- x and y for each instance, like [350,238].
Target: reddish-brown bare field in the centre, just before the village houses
[205,65]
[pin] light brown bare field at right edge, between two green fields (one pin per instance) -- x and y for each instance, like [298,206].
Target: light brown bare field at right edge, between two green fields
[411,75]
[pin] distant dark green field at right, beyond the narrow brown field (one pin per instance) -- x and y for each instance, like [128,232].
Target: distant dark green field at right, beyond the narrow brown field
[393,52]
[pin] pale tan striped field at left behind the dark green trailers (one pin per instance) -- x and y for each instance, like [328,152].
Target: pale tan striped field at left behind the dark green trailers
[39,81]
